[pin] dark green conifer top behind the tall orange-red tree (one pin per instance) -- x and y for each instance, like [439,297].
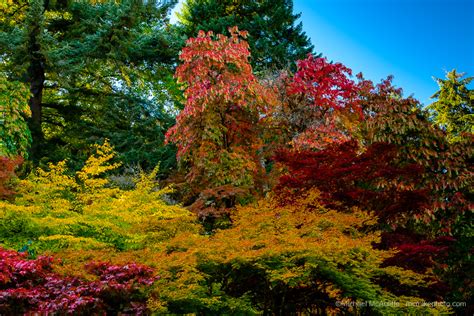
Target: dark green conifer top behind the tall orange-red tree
[276,39]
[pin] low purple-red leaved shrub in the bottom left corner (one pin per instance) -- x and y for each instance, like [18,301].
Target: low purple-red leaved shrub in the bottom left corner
[32,286]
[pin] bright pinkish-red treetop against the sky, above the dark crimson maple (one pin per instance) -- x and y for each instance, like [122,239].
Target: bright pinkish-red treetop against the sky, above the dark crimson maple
[320,103]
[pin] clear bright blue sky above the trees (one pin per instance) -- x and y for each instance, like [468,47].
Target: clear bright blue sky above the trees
[413,40]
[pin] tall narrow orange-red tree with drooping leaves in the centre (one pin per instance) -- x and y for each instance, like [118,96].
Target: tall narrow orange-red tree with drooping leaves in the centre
[217,133]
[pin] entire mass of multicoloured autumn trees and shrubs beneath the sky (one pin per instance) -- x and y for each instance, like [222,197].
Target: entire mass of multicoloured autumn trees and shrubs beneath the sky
[297,190]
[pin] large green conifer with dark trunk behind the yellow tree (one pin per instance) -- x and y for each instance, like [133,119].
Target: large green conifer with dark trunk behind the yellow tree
[95,68]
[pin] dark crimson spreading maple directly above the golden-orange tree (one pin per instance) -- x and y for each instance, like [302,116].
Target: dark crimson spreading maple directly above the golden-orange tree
[348,178]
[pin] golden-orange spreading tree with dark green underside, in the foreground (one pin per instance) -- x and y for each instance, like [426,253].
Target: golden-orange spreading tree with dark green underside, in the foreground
[281,260]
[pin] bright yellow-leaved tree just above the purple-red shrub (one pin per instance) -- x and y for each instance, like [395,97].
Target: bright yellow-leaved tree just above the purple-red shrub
[59,211]
